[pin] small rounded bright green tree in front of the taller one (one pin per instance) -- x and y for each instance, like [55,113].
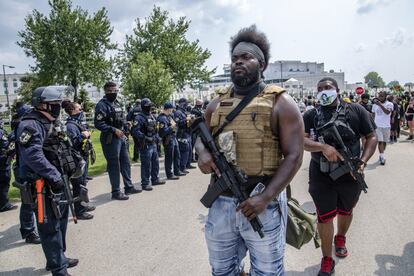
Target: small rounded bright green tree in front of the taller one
[146,77]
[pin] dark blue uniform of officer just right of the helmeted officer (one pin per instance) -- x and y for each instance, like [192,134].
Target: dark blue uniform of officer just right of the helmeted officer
[74,128]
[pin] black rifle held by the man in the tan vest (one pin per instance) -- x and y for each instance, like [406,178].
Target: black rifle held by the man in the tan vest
[231,177]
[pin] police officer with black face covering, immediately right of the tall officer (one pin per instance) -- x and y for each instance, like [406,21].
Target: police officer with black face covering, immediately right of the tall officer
[144,128]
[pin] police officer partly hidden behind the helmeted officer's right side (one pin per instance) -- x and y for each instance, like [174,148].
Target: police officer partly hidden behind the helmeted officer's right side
[80,138]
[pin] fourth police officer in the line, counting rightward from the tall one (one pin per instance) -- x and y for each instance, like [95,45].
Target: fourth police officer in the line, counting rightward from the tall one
[183,121]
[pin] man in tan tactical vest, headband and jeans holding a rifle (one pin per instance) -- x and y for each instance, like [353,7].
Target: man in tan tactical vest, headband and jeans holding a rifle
[263,122]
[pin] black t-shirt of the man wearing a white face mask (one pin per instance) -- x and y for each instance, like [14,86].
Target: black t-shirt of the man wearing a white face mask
[357,116]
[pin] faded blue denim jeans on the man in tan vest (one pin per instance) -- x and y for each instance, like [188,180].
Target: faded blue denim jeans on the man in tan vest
[229,235]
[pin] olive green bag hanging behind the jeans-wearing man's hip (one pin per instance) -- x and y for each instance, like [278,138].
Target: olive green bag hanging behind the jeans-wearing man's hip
[301,225]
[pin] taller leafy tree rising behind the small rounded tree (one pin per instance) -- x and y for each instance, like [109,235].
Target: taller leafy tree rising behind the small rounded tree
[166,40]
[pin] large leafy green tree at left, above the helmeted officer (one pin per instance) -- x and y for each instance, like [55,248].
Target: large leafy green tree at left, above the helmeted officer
[68,45]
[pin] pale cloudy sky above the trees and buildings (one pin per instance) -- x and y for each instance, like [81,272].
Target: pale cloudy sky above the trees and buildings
[353,36]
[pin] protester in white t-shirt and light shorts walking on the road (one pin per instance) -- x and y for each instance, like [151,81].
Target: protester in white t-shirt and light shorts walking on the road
[382,110]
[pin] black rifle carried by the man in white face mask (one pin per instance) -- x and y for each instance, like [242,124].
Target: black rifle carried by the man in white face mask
[351,163]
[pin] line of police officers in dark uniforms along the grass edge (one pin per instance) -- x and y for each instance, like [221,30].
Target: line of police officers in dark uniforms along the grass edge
[48,152]
